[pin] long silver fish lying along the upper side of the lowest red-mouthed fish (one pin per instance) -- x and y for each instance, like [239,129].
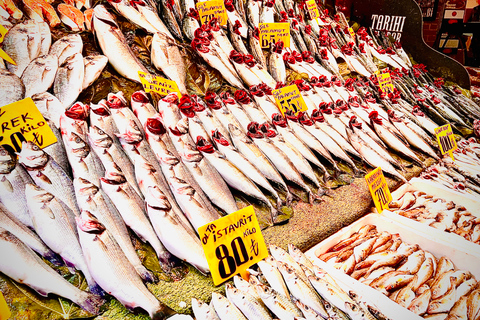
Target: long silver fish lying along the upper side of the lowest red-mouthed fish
[92,199]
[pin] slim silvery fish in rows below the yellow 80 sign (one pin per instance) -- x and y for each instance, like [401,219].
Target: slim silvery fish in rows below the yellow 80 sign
[286,286]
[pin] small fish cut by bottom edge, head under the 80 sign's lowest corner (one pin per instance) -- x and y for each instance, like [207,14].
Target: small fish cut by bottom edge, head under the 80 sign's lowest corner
[247,304]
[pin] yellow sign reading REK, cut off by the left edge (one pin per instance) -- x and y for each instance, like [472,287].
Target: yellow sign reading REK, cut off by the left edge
[22,121]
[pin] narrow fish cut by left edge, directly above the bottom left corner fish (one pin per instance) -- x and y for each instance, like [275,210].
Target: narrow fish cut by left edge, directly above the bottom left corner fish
[27,236]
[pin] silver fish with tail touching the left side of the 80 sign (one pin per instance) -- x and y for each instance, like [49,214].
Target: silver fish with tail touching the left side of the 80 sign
[174,230]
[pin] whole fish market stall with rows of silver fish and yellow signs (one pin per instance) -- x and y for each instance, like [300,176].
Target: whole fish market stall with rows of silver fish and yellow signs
[128,126]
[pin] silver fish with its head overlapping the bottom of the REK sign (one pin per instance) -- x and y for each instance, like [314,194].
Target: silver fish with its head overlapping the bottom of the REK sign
[48,175]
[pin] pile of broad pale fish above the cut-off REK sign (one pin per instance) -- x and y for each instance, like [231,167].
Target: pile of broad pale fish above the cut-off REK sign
[41,65]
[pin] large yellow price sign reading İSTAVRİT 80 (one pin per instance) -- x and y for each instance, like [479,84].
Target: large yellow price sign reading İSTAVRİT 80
[232,244]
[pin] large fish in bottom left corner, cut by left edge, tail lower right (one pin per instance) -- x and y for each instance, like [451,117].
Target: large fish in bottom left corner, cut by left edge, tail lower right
[24,266]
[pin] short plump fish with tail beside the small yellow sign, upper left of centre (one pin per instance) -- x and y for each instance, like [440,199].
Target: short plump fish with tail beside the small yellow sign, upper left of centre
[166,57]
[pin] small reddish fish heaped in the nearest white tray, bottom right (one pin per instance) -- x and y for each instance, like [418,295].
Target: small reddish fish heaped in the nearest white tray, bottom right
[410,276]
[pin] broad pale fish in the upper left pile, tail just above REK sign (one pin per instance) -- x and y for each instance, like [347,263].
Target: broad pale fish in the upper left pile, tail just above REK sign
[39,75]
